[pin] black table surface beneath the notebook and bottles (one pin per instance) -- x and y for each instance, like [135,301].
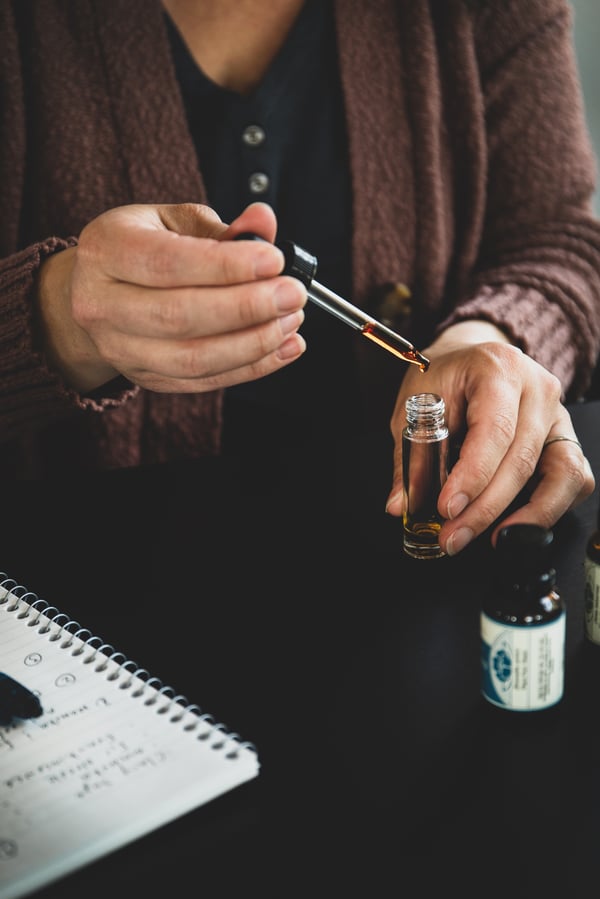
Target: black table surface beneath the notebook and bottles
[275,594]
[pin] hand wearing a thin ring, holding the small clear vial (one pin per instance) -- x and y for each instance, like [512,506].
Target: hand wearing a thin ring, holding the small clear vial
[504,407]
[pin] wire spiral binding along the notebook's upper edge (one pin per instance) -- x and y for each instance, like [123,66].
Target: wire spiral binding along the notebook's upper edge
[48,619]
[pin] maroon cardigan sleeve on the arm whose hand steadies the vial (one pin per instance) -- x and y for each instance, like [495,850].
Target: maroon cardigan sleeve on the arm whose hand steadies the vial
[537,275]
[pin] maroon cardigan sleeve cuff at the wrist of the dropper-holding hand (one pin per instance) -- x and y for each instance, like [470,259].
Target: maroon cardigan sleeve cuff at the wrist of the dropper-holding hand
[31,394]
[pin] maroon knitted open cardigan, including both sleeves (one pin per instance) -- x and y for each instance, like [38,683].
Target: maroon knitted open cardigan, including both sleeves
[471,167]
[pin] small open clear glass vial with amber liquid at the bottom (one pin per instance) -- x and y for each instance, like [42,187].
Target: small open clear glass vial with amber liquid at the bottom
[425,469]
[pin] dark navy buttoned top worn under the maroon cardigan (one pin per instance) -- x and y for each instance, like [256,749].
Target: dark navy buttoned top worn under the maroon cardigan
[285,144]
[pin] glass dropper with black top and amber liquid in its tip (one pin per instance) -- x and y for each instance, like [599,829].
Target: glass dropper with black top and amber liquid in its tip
[303,265]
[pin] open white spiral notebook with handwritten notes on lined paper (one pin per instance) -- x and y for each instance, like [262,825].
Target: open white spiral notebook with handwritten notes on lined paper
[114,754]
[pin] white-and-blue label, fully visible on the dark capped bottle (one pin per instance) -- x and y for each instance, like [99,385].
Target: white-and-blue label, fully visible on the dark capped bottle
[522,668]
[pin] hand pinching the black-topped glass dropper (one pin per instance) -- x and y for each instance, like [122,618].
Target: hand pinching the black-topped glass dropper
[163,296]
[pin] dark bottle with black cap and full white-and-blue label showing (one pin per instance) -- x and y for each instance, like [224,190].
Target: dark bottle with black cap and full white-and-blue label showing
[523,624]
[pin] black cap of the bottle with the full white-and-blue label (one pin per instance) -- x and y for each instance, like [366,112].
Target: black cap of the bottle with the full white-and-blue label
[523,552]
